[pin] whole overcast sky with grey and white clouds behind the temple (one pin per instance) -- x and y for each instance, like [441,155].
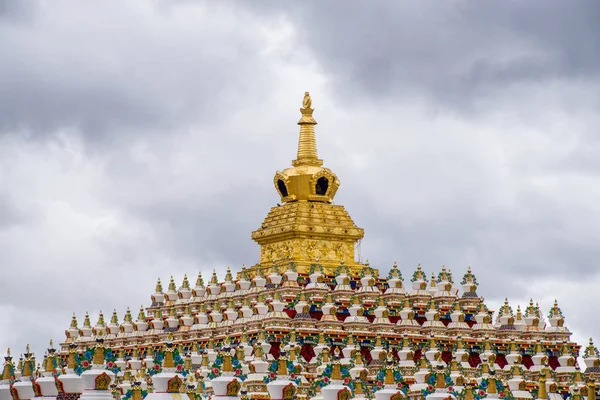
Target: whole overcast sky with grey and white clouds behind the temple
[139,139]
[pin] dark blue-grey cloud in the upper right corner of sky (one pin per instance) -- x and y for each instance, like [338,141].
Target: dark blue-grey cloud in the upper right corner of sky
[455,54]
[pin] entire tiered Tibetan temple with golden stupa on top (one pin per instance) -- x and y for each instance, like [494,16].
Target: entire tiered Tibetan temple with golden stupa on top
[311,321]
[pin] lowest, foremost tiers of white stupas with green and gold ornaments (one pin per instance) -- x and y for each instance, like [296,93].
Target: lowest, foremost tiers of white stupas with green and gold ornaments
[244,368]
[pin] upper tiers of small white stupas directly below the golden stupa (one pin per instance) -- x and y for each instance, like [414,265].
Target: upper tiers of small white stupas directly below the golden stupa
[340,306]
